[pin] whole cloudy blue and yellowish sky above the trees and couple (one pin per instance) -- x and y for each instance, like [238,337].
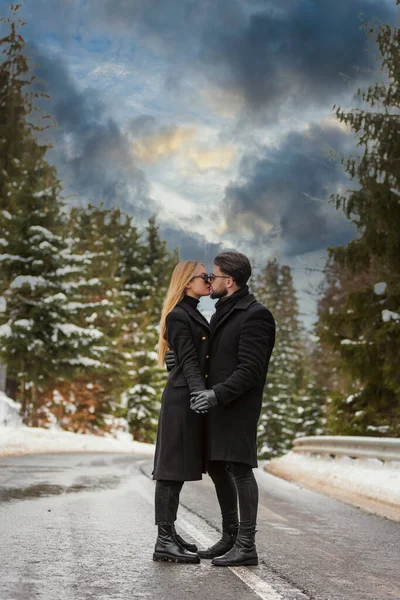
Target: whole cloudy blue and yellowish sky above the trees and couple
[215,115]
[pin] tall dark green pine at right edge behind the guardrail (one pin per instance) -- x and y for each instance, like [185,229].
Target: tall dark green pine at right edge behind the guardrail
[361,321]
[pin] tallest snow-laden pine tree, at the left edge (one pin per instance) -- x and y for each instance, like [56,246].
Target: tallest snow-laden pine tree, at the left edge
[38,343]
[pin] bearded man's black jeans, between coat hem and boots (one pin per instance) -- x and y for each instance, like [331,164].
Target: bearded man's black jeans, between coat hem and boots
[235,482]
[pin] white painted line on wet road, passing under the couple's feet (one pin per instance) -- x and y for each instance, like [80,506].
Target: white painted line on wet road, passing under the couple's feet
[257,585]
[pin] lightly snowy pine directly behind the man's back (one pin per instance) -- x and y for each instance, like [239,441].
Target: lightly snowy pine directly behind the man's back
[289,404]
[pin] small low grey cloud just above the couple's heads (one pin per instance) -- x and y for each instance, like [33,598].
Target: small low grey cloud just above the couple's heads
[191,245]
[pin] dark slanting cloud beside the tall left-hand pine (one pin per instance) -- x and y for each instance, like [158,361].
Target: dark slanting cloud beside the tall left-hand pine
[93,155]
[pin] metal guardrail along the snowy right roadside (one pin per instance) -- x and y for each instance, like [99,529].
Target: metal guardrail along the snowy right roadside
[385,449]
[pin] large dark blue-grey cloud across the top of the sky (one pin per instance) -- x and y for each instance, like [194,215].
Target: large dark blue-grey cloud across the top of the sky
[278,55]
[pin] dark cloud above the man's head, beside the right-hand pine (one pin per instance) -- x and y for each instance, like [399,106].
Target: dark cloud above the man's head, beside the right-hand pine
[288,188]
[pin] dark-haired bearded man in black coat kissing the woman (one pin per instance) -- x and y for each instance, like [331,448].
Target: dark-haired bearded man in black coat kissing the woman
[242,339]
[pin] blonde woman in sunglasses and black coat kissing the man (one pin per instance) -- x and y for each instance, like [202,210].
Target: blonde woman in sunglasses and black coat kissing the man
[179,449]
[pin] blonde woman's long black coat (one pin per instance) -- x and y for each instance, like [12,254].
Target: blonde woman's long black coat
[180,444]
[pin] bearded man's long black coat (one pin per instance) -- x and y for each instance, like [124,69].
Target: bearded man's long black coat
[241,346]
